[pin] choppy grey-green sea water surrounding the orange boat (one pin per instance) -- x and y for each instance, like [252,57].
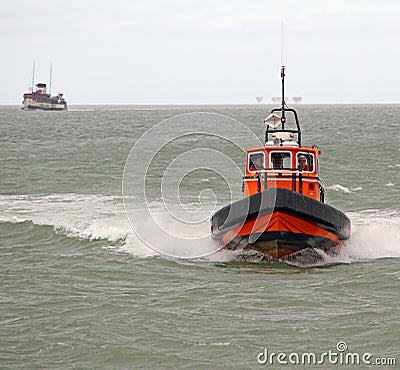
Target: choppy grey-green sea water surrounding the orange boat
[80,289]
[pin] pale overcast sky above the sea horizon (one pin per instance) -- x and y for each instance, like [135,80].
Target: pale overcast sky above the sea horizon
[202,51]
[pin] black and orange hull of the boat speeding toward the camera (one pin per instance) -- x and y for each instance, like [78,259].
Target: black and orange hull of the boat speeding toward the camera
[278,223]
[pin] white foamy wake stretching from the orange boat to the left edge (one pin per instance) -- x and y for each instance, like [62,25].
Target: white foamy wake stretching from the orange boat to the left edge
[98,216]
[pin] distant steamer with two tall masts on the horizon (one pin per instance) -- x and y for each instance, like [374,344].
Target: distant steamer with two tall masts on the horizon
[40,99]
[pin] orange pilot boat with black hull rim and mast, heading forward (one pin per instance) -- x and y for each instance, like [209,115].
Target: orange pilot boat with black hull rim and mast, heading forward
[282,213]
